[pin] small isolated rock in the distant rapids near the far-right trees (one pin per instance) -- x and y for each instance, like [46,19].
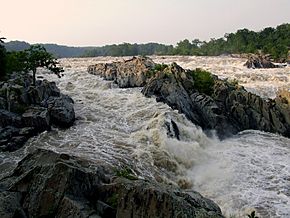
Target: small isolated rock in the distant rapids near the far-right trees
[259,61]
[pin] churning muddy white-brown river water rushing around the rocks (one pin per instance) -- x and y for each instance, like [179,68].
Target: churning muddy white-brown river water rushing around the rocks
[250,171]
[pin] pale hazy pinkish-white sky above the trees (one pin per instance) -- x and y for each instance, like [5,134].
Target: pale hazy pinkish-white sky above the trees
[99,22]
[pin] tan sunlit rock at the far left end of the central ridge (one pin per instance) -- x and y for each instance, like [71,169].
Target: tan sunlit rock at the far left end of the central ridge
[131,73]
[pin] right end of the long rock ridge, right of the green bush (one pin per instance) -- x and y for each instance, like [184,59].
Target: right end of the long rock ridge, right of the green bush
[249,111]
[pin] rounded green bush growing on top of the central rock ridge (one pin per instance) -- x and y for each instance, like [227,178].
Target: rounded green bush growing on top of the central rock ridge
[203,81]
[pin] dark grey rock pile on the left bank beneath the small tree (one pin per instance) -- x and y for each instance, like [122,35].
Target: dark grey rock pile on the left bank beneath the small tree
[26,110]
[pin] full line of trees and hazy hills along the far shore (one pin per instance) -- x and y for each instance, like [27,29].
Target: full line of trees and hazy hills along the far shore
[273,41]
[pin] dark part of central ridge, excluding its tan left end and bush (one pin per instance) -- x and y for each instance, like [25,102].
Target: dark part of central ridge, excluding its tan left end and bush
[228,110]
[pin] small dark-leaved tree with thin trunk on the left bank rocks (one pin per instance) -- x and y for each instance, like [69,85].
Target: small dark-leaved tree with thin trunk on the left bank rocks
[37,56]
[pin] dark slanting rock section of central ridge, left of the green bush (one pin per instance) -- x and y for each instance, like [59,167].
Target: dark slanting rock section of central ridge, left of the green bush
[175,87]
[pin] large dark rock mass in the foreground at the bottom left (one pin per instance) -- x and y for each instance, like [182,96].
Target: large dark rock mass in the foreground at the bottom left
[47,184]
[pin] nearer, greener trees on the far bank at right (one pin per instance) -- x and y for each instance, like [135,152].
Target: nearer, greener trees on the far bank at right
[270,41]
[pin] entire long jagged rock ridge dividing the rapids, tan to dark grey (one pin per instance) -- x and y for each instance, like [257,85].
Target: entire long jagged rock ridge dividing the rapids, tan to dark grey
[225,107]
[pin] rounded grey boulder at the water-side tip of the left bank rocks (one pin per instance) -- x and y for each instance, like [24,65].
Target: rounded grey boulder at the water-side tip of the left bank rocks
[61,110]
